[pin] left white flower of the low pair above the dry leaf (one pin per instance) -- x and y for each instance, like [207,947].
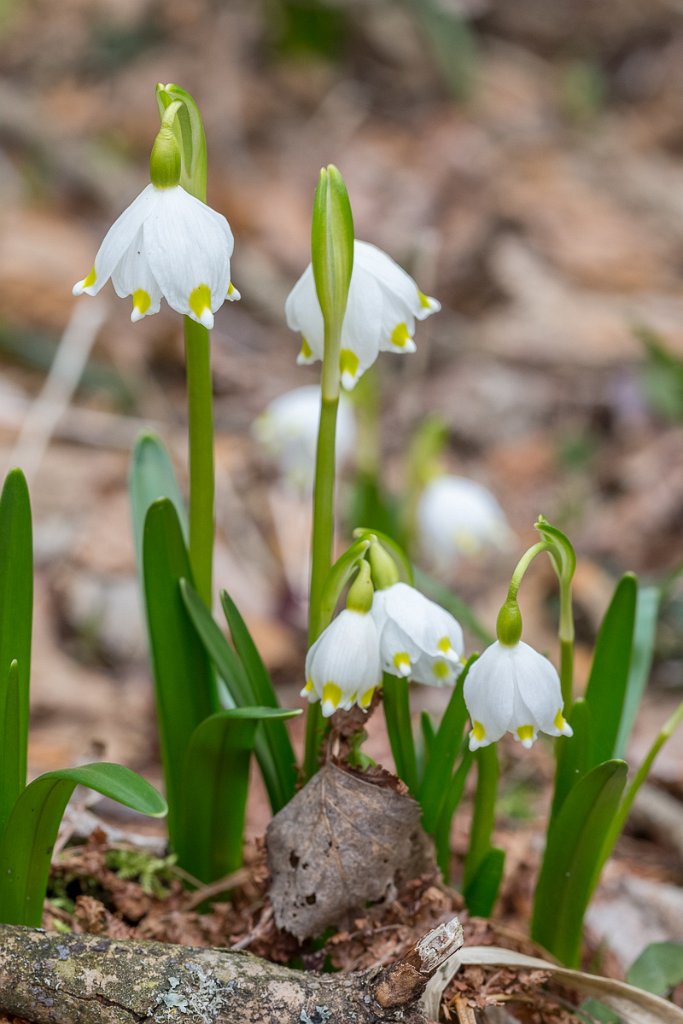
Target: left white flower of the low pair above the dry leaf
[344,666]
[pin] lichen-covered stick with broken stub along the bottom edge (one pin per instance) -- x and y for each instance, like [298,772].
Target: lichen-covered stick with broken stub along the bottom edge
[86,979]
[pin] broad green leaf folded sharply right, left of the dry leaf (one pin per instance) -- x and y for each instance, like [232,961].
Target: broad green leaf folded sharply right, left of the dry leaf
[216,785]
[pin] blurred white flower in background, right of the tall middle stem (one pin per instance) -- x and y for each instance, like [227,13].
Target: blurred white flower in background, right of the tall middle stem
[456,518]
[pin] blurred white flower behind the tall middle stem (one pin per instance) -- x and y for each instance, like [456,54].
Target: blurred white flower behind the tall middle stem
[288,431]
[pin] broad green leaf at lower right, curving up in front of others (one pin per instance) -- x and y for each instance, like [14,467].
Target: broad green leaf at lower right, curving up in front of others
[573,861]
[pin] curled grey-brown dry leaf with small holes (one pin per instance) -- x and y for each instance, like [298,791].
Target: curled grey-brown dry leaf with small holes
[347,839]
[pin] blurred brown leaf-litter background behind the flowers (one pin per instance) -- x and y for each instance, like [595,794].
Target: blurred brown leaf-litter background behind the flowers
[522,160]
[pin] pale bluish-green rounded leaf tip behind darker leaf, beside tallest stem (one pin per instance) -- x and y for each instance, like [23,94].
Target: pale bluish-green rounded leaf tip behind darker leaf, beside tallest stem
[152,477]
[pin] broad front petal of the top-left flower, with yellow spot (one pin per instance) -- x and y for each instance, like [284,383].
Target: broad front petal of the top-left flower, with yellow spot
[189,247]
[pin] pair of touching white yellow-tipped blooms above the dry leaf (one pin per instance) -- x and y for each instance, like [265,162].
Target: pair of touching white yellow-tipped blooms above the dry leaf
[402,633]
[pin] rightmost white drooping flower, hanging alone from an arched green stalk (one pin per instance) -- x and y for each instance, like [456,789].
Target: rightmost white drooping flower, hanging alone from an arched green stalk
[514,689]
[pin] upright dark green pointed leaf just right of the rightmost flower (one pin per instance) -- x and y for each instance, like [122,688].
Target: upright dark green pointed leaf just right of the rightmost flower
[607,688]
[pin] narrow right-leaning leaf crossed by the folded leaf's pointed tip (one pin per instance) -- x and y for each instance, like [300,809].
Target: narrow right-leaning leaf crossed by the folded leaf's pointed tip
[274,749]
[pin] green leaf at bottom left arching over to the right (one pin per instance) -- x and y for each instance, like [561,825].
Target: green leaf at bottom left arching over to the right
[26,848]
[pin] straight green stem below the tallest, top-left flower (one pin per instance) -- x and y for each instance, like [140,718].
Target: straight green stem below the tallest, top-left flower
[200,418]
